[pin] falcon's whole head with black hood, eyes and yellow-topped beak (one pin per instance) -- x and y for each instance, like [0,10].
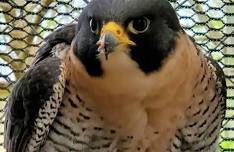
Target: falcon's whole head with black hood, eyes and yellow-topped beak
[145,30]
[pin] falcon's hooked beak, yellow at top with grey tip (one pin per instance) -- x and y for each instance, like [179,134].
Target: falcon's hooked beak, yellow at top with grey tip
[112,35]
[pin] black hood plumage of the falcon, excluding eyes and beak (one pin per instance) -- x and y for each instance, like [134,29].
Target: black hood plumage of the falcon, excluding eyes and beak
[152,46]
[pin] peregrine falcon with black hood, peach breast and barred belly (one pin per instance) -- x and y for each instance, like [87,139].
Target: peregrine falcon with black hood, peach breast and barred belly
[125,78]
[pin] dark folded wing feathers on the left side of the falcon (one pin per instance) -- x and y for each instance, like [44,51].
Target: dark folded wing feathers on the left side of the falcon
[28,96]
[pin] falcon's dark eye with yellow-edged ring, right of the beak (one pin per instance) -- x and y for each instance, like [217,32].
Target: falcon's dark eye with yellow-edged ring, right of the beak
[139,25]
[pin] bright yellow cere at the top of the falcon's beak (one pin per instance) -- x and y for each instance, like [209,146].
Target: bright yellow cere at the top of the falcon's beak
[117,31]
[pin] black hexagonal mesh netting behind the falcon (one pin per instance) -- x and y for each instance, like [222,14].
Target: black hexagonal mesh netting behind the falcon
[24,24]
